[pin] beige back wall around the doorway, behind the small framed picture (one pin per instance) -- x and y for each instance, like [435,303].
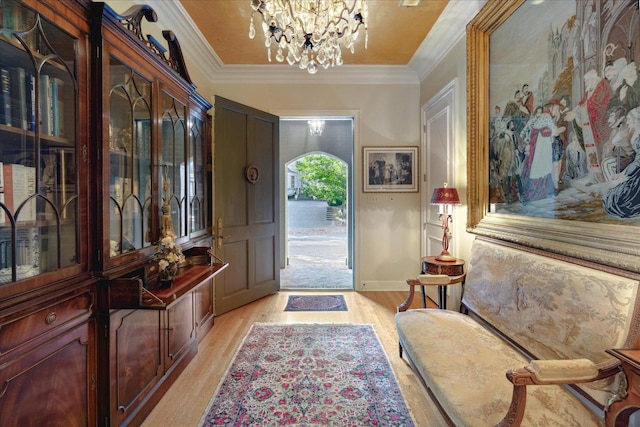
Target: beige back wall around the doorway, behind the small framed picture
[387,226]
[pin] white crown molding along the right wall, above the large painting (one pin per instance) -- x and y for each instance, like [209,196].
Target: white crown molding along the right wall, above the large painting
[448,30]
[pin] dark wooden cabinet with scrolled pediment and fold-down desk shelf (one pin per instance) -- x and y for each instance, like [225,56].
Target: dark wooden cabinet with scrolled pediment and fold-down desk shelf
[152,151]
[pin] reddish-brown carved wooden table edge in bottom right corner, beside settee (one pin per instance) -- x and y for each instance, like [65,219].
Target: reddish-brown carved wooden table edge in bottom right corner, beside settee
[620,412]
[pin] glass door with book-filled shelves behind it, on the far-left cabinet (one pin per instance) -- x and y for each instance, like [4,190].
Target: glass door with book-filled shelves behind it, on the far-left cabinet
[38,145]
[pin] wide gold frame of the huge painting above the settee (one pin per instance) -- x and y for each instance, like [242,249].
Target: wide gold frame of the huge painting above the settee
[610,243]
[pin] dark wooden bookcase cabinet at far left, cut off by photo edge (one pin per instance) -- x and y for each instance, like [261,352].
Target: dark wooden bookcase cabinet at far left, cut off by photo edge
[48,369]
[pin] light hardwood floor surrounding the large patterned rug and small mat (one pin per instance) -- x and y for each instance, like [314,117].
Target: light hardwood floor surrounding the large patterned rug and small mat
[187,399]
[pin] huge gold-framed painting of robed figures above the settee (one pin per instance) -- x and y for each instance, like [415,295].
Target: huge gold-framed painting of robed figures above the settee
[554,127]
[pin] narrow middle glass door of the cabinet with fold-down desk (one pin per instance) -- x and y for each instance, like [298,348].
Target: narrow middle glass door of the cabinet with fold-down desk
[173,162]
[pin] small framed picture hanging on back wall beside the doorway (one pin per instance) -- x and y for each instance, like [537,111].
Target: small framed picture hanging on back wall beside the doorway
[390,169]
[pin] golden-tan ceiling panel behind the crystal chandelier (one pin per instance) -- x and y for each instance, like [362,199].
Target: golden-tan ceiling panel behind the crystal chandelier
[395,33]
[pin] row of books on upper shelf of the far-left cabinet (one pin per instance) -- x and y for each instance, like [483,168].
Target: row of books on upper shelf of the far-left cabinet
[18,101]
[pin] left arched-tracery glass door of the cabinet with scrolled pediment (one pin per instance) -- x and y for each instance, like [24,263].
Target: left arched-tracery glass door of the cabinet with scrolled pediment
[130,183]
